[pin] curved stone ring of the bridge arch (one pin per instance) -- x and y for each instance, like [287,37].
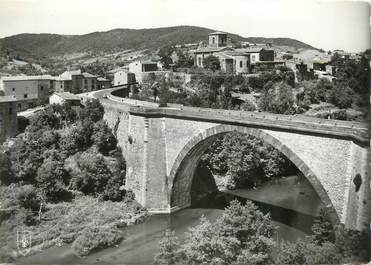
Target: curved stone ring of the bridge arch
[185,164]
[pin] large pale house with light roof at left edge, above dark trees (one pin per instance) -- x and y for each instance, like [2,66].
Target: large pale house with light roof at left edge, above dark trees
[30,91]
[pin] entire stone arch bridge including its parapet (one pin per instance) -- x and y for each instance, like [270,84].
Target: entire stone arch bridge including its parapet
[162,146]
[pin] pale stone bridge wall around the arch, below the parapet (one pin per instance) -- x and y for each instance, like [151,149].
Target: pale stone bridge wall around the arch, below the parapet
[162,154]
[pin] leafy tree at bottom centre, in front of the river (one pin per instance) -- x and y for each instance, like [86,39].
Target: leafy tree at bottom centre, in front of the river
[241,235]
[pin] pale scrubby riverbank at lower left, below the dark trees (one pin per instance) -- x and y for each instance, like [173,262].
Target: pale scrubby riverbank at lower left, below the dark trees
[85,225]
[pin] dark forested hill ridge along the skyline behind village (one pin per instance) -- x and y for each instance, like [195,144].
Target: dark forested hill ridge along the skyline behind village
[39,45]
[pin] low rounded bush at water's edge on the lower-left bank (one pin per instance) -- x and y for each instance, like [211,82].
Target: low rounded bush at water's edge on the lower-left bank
[94,238]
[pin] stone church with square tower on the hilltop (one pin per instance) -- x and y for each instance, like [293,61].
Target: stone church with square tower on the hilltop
[238,61]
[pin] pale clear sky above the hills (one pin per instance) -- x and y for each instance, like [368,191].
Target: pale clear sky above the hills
[327,24]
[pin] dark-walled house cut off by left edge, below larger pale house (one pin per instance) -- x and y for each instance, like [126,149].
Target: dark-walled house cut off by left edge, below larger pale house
[8,117]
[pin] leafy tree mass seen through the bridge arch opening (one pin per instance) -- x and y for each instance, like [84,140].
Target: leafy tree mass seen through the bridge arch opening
[244,160]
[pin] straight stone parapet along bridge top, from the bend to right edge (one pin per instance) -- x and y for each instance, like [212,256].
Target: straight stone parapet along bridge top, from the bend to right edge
[355,131]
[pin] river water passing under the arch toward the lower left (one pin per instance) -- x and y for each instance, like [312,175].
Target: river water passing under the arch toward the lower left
[291,201]
